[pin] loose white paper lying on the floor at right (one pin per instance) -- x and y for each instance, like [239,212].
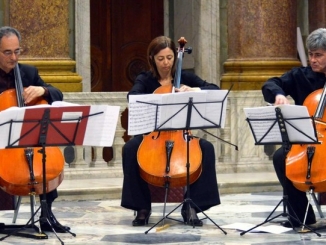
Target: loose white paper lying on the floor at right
[275,229]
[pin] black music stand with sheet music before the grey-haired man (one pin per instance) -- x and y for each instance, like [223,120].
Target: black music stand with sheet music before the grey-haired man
[275,130]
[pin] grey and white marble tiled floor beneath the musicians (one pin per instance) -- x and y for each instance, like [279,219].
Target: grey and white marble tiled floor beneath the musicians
[105,222]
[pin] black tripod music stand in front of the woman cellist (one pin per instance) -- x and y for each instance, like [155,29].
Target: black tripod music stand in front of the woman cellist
[185,123]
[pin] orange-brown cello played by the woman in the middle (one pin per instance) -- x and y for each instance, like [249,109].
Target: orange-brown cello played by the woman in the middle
[162,155]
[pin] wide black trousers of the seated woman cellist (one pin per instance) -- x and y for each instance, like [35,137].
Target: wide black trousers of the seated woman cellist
[135,192]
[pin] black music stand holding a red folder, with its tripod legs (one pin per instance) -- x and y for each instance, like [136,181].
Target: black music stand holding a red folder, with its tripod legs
[43,127]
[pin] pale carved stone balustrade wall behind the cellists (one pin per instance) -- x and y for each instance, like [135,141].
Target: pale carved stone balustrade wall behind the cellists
[248,158]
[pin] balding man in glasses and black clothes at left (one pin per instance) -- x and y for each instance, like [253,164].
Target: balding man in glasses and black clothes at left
[10,49]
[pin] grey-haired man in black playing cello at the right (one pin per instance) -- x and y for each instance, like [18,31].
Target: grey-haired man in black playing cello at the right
[298,83]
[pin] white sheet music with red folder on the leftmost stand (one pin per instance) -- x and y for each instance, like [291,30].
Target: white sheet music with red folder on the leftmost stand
[93,130]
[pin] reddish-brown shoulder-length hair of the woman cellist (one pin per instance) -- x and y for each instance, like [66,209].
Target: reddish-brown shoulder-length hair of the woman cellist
[156,45]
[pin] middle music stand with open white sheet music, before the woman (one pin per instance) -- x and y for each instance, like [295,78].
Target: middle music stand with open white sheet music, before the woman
[195,111]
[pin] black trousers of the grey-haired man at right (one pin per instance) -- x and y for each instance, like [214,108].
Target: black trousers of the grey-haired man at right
[296,198]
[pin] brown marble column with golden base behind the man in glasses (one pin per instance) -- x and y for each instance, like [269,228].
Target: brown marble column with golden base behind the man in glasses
[44,26]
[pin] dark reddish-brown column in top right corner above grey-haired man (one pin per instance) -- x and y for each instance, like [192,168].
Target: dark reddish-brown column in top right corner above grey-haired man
[317,14]
